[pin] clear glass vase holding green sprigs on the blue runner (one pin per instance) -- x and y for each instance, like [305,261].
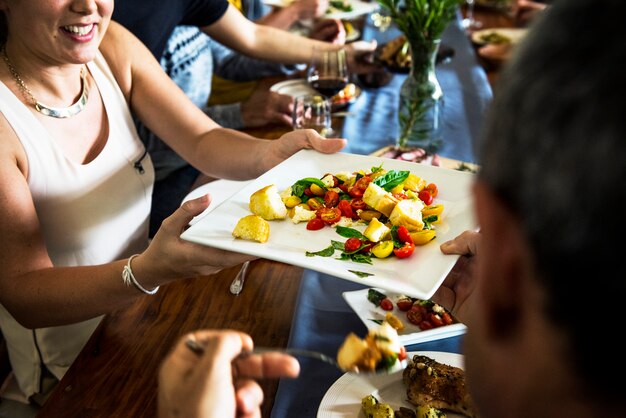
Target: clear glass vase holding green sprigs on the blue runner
[421,100]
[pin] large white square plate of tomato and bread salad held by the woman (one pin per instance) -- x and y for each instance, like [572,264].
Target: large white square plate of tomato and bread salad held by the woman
[418,276]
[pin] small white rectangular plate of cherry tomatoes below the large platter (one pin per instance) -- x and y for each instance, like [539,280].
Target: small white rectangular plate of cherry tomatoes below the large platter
[411,334]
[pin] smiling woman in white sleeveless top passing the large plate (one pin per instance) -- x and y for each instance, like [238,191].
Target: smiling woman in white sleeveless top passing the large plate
[77,183]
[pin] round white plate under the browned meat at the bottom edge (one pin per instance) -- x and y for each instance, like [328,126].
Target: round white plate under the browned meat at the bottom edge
[343,398]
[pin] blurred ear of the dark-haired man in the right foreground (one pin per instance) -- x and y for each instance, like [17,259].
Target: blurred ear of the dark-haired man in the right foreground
[503,262]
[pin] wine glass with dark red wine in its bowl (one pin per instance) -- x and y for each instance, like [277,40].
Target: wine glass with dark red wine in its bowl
[328,71]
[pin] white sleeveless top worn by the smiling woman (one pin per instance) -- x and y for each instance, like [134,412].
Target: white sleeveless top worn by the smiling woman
[90,214]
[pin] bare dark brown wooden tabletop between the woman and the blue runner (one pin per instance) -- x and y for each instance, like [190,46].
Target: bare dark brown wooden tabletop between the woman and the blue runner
[116,373]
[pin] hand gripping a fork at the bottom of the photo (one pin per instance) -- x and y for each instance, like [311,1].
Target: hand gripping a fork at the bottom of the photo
[208,385]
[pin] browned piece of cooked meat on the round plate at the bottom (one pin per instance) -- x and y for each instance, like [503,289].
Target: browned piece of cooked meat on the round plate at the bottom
[437,385]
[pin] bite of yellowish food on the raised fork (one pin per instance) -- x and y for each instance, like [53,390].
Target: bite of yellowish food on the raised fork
[379,351]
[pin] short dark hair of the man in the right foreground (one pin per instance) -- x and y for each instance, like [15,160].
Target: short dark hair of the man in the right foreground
[555,152]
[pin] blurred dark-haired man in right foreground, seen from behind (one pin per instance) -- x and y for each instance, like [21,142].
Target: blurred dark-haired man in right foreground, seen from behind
[542,304]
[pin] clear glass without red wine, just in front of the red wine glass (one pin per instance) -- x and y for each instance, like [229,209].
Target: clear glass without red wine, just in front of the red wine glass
[313,111]
